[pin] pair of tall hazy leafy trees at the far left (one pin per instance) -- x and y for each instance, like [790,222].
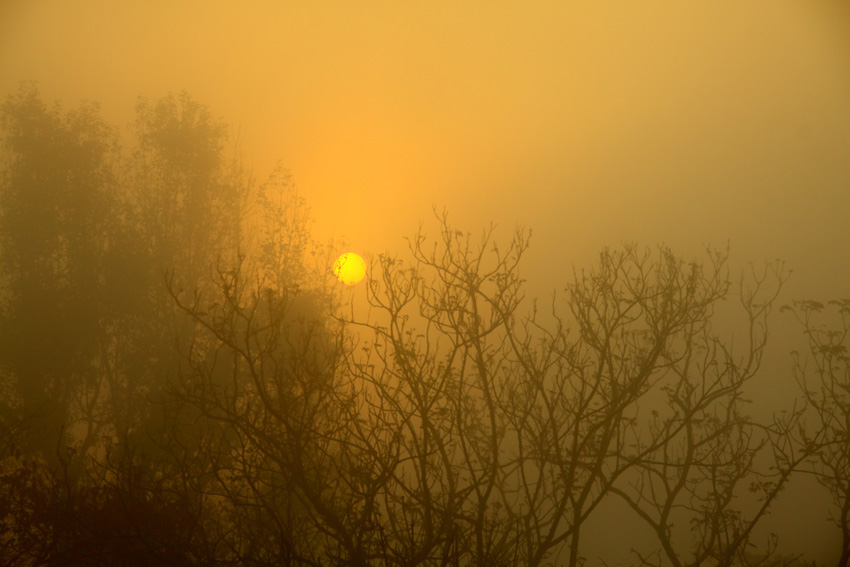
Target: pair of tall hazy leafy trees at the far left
[87,329]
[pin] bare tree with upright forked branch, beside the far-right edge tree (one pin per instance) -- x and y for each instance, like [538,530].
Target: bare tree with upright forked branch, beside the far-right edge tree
[701,453]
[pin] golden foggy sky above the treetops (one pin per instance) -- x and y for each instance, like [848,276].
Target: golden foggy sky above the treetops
[590,123]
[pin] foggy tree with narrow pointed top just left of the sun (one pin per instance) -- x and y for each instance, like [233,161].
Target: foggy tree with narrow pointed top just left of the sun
[262,370]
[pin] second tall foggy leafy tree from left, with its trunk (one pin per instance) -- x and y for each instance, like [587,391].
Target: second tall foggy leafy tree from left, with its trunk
[184,206]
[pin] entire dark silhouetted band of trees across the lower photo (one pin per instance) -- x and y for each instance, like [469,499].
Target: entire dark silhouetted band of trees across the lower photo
[181,382]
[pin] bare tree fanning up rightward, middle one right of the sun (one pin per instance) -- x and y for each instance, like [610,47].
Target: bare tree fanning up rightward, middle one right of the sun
[582,391]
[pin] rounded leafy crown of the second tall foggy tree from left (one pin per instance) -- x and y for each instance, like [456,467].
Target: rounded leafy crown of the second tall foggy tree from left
[186,198]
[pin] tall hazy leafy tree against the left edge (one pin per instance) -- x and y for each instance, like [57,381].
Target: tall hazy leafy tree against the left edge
[61,255]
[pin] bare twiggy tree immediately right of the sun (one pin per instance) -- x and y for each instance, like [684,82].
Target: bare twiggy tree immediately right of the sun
[436,388]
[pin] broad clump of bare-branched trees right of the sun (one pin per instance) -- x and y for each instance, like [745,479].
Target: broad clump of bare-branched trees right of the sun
[512,431]
